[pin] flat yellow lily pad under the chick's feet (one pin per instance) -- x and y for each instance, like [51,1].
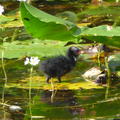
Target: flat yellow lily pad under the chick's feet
[38,82]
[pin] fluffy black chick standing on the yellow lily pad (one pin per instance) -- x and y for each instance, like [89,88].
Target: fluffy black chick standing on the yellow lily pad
[60,65]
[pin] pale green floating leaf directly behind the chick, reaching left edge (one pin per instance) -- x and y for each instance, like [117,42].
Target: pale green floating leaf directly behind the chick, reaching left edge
[18,49]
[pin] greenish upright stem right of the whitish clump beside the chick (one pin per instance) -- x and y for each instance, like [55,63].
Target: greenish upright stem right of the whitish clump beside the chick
[108,78]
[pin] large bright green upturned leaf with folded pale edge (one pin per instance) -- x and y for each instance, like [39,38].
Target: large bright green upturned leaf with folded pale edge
[45,26]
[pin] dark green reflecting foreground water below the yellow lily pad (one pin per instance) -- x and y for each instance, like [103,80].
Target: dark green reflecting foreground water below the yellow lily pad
[68,104]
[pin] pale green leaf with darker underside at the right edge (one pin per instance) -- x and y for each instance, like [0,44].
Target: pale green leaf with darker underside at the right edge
[103,34]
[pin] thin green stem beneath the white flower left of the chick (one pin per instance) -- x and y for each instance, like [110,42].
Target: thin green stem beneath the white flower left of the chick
[30,97]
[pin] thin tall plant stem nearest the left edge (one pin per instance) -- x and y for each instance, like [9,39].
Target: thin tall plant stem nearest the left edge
[5,82]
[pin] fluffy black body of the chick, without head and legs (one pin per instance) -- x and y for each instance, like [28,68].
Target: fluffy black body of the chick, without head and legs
[57,66]
